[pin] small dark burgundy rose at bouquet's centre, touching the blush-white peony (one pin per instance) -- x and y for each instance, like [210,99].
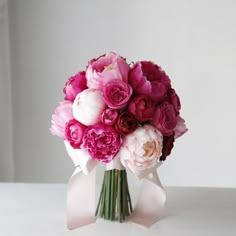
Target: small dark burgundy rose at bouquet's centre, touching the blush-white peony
[125,123]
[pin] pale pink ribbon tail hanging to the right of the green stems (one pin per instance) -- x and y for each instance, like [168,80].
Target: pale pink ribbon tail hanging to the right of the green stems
[150,201]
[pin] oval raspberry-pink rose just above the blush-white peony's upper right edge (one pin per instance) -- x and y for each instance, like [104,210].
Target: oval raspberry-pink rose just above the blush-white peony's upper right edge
[165,118]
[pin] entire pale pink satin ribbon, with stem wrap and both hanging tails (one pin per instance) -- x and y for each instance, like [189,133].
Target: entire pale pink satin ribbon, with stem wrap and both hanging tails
[81,190]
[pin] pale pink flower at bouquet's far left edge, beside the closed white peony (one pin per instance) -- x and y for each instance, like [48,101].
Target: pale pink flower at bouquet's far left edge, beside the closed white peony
[62,114]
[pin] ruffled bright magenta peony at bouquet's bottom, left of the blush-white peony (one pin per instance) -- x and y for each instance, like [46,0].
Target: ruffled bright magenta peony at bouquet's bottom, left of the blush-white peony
[102,142]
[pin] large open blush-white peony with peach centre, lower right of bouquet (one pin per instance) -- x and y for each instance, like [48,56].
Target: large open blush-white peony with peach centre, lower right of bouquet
[141,149]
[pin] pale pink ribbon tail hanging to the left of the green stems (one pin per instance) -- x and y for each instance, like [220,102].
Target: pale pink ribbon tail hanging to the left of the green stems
[81,199]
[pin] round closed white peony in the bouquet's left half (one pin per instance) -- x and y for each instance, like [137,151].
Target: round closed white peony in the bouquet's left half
[88,107]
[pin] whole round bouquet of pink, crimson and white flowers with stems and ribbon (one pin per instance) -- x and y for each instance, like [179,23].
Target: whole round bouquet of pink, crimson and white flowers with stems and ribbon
[128,117]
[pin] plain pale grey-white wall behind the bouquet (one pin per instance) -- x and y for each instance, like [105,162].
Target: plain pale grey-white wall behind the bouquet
[193,40]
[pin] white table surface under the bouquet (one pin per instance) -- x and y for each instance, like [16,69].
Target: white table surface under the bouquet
[39,209]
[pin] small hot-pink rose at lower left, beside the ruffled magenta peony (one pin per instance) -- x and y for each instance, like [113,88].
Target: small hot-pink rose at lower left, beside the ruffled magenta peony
[74,133]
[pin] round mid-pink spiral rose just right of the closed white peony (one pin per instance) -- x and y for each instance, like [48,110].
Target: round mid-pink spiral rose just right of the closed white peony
[116,93]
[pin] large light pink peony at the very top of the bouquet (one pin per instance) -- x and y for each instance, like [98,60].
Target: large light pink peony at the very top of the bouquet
[105,68]
